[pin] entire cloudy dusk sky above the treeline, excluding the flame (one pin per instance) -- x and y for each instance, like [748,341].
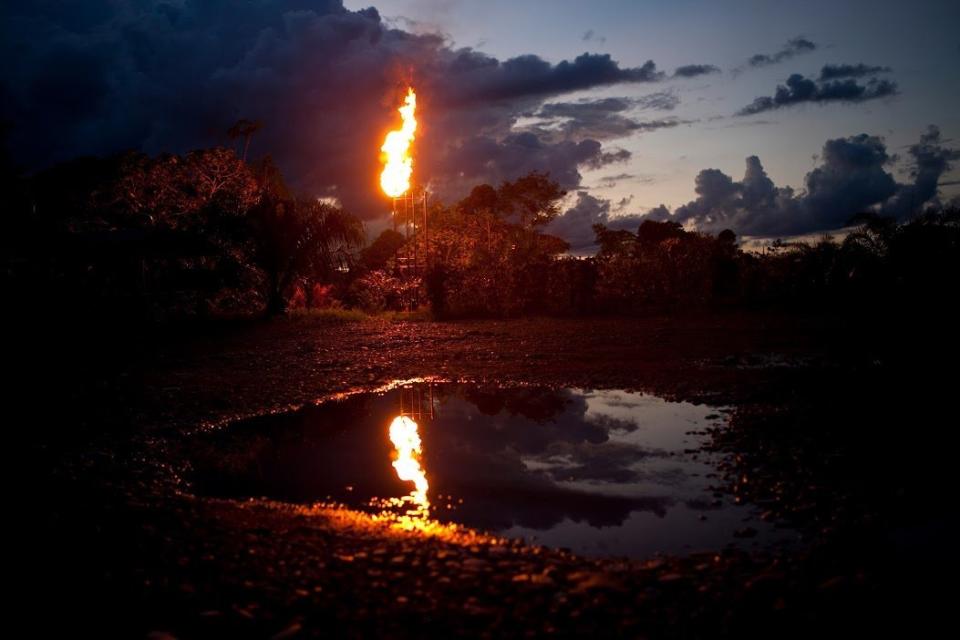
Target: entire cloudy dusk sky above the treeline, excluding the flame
[849,128]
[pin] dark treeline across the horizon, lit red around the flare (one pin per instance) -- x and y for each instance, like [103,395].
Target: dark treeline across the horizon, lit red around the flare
[208,236]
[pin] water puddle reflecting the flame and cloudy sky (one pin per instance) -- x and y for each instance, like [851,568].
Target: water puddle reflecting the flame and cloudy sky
[599,472]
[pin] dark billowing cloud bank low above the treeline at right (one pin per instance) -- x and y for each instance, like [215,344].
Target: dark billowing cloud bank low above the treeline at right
[852,178]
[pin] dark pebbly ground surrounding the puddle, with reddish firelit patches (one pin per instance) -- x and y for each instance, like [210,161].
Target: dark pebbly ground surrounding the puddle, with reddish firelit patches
[839,428]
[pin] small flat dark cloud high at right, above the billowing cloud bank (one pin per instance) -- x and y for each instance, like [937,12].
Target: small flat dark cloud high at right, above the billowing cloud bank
[799,90]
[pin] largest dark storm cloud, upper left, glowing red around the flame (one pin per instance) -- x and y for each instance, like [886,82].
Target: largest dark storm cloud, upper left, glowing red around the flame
[98,77]
